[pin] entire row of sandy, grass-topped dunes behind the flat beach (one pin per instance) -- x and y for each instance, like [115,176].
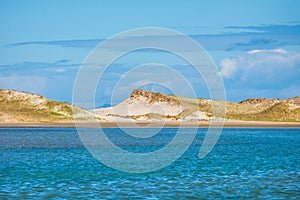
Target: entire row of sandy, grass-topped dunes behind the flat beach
[144,106]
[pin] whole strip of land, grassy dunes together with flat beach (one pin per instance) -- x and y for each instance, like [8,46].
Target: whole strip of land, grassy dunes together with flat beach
[145,109]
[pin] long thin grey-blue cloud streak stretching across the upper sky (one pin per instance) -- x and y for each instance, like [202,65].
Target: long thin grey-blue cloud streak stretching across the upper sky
[249,37]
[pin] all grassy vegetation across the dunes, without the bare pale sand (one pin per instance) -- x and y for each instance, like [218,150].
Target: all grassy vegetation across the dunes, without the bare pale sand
[26,107]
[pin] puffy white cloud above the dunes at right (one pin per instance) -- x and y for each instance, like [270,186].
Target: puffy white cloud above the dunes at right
[262,69]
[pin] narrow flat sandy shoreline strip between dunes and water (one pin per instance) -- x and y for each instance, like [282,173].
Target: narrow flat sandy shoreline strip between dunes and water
[227,124]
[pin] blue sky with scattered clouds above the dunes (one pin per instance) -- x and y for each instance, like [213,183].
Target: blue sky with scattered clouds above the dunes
[254,44]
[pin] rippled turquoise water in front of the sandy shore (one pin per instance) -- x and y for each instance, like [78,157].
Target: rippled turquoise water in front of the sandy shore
[245,163]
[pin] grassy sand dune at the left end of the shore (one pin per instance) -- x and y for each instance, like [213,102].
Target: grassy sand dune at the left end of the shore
[26,107]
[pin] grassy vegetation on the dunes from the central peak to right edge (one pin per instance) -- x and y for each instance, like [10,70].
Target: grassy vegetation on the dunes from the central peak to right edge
[260,109]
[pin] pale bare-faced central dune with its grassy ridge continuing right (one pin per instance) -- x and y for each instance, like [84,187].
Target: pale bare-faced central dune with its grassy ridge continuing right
[152,106]
